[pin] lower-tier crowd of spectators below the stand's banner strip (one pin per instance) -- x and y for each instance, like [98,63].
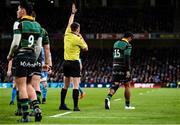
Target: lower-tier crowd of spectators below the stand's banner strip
[148,66]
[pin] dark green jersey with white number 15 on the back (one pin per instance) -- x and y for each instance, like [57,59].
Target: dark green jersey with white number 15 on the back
[121,54]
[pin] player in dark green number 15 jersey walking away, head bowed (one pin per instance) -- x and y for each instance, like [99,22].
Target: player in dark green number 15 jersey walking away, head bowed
[121,69]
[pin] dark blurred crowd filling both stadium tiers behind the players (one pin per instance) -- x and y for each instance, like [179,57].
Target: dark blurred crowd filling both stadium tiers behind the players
[159,63]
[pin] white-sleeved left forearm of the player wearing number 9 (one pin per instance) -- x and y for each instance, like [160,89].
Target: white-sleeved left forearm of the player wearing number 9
[14,44]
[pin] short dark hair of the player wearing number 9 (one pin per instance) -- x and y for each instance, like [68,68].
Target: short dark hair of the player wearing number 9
[28,6]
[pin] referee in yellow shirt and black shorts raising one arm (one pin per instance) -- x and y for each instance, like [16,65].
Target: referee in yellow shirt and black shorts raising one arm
[73,43]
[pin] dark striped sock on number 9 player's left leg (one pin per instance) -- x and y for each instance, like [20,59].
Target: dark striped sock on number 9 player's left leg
[24,105]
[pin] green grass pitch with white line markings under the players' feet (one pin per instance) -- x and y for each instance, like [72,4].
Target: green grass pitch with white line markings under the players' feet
[153,106]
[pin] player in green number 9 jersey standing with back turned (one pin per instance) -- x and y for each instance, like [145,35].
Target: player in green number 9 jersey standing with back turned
[25,48]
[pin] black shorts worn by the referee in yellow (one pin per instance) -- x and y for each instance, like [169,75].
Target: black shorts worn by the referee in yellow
[71,68]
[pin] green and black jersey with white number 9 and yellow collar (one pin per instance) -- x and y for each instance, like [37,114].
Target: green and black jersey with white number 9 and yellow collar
[30,31]
